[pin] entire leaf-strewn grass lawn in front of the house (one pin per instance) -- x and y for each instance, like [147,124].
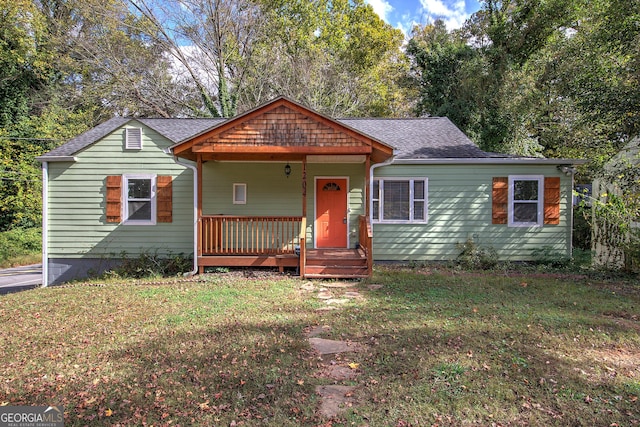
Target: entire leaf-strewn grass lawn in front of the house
[443,347]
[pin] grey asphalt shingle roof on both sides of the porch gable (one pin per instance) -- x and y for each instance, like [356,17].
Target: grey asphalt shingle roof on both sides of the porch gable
[418,138]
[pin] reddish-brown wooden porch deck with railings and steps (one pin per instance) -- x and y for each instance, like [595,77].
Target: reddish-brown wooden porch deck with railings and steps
[254,241]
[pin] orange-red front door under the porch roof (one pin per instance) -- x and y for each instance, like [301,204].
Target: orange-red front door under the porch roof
[331,213]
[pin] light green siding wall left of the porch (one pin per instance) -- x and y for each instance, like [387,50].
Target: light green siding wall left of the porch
[80,240]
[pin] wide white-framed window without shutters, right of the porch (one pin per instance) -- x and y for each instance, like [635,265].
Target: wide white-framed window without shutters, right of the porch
[400,200]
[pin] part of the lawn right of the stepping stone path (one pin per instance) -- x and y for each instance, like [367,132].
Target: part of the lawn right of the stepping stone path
[451,351]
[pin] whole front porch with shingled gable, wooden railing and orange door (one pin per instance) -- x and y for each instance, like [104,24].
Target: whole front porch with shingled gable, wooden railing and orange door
[283,186]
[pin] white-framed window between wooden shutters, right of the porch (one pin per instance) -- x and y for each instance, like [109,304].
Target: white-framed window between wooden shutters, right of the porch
[526,200]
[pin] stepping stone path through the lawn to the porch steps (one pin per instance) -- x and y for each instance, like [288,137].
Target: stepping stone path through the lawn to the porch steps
[334,397]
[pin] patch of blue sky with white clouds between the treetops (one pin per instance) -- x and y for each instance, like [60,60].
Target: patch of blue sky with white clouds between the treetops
[404,14]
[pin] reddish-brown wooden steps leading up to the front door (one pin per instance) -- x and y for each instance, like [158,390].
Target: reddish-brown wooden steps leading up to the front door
[336,264]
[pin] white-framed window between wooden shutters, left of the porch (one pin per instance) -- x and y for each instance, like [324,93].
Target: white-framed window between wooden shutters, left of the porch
[140,199]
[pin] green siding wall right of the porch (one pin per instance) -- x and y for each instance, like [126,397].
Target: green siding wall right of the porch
[460,208]
